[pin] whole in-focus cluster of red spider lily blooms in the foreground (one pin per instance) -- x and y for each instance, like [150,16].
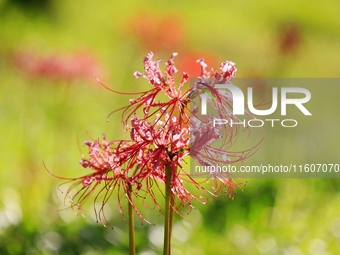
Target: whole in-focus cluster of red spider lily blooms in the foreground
[160,140]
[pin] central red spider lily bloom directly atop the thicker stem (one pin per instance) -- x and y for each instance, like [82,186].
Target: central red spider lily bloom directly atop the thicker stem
[170,146]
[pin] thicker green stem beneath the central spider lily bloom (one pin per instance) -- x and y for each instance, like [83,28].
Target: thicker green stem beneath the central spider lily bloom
[168,213]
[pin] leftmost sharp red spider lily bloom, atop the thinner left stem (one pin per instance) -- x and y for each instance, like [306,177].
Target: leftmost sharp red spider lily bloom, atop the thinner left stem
[112,163]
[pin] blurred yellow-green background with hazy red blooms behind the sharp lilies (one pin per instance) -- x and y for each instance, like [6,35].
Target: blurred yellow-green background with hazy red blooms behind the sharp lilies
[50,103]
